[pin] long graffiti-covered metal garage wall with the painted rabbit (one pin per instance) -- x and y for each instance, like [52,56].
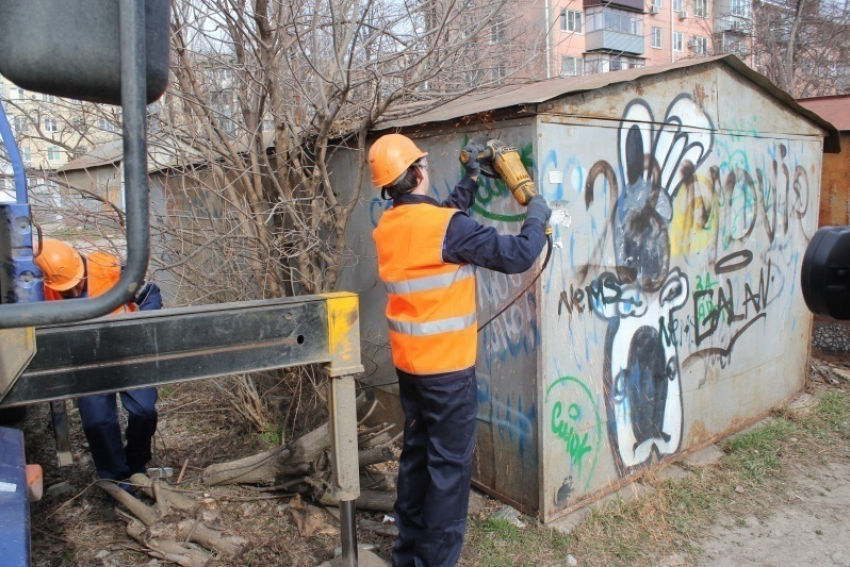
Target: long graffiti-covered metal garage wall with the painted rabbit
[672,313]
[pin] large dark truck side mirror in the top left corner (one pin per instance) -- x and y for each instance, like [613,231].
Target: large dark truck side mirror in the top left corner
[71,48]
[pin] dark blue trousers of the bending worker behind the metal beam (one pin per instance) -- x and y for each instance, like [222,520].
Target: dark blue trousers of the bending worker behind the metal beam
[99,414]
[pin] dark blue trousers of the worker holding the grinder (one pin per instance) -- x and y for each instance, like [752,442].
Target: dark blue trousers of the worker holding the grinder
[435,469]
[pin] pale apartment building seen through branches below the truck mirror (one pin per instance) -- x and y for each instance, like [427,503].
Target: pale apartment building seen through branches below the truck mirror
[51,131]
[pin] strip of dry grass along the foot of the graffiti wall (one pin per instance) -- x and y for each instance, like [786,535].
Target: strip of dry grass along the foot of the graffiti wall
[666,524]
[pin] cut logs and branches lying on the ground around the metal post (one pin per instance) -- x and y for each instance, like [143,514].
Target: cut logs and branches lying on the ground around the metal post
[175,522]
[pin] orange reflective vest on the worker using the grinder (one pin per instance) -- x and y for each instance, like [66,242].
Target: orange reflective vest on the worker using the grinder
[431,308]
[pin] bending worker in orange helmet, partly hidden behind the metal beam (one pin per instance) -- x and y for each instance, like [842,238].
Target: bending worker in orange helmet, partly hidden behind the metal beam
[71,275]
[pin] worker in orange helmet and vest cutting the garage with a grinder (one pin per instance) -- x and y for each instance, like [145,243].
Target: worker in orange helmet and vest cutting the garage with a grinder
[426,257]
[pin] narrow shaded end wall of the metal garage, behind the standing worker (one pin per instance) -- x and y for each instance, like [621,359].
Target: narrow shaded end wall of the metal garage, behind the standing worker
[506,458]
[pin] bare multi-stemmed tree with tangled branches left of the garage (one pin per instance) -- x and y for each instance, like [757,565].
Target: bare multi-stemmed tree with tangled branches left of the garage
[263,94]
